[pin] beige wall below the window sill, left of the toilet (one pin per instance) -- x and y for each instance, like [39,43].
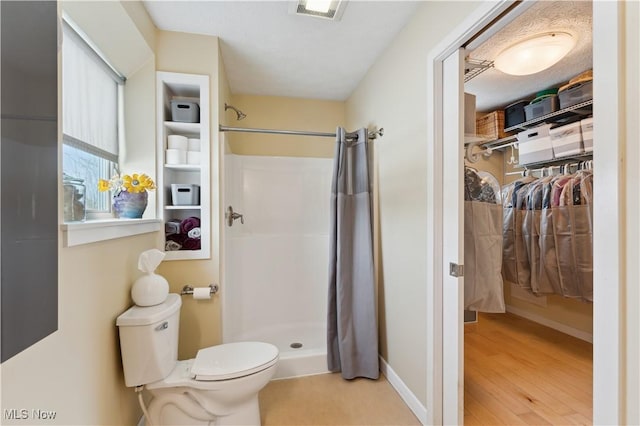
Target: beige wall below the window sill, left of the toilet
[77,370]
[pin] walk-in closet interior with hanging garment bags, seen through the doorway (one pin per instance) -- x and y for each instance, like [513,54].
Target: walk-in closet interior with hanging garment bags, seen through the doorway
[527,287]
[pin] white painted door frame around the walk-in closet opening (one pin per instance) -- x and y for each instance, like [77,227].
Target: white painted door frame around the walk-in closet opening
[609,216]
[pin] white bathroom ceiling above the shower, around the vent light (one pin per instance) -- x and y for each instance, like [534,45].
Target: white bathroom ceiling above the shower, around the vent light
[267,51]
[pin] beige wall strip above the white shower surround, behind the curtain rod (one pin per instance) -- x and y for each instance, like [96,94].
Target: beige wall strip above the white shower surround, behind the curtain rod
[282,113]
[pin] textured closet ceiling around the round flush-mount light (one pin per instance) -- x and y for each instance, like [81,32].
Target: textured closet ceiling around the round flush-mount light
[494,89]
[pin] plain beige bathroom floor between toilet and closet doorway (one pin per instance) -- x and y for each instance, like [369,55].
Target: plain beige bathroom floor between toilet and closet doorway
[327,399]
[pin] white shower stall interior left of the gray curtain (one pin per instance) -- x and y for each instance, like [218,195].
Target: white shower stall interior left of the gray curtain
[276,257]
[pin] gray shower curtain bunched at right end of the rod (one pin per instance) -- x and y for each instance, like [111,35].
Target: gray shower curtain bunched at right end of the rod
[352,332]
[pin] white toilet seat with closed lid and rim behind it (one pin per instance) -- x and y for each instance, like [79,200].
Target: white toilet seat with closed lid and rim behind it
[219,363]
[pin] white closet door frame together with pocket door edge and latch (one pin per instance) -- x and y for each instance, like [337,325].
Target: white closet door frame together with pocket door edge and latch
[446,67]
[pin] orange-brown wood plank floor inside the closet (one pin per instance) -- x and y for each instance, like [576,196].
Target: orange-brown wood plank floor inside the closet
[518,372]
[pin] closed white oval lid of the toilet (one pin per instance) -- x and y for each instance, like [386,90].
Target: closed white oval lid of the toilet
[231,360]
